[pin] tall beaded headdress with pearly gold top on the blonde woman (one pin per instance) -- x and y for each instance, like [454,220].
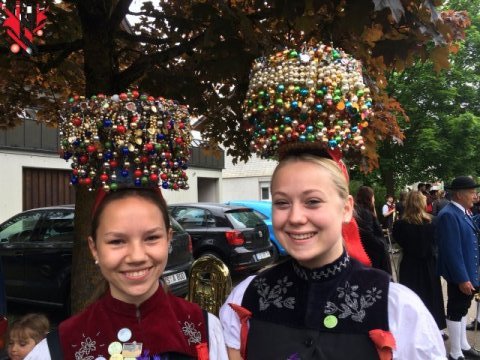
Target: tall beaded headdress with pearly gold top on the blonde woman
[315,94]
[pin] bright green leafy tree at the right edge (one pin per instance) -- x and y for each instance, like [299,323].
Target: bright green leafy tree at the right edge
[441,134]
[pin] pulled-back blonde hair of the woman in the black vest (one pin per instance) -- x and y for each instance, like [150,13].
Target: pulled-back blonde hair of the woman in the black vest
[328,165]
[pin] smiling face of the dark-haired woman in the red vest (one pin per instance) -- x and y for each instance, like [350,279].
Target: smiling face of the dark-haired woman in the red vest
[131,248]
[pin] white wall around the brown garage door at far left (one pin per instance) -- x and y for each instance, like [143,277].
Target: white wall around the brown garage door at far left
[11,184]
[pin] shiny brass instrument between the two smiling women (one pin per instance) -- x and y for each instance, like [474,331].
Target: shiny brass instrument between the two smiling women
[209,283]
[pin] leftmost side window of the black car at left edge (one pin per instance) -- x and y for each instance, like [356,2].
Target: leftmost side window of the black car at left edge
[20,228]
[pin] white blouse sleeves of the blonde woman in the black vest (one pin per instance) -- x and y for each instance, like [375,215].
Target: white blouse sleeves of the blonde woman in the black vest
[413,327]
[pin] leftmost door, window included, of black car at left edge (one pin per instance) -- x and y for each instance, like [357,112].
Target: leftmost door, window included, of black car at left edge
[14,234]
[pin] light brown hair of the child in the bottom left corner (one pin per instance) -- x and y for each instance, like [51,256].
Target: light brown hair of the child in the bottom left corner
[35,326]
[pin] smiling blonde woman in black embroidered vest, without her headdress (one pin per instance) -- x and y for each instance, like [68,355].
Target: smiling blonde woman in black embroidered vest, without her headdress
[322,303]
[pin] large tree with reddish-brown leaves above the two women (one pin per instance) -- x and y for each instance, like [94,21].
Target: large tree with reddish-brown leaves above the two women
[199,52]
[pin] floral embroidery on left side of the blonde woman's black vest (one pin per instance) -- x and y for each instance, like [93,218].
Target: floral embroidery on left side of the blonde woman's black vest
[274,295]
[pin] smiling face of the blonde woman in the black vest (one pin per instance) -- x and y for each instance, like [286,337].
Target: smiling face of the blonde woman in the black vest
[308,212]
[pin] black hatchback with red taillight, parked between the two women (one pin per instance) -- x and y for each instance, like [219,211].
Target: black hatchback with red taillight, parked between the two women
[235,234]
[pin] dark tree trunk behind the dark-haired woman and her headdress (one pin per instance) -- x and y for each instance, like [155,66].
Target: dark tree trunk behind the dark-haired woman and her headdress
[99,78]
